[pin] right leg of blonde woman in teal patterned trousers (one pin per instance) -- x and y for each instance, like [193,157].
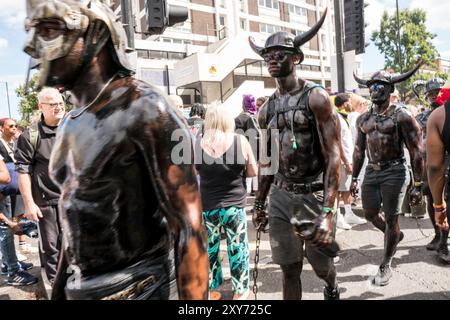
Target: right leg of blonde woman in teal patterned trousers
[235,225]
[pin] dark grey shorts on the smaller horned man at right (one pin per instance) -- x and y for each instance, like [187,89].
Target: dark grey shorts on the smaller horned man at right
[385,188]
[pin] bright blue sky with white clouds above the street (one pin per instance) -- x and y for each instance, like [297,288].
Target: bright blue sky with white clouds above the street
[14,62]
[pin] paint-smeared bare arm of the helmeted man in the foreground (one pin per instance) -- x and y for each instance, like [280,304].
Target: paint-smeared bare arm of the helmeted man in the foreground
[177,190]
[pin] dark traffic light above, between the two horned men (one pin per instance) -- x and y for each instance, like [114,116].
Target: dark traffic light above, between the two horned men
[354,26]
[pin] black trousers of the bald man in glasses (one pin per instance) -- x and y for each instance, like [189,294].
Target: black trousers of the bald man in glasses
[50,240]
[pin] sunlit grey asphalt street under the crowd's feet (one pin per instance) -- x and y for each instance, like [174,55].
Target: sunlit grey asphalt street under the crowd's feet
[417,273]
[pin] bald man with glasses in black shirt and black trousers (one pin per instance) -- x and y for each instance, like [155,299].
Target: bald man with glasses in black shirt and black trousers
[40,194]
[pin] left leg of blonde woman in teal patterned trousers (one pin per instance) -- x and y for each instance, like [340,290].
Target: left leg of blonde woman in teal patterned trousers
[212,223]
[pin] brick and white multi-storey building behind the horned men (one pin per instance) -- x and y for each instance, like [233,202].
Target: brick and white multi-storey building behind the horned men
[213,25]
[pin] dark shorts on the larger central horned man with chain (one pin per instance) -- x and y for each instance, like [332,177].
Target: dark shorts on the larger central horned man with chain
[287,248]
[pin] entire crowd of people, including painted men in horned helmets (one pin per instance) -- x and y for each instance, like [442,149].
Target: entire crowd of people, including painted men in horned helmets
[118,212]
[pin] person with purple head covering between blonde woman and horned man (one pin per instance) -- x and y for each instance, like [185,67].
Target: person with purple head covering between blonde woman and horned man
[245,123]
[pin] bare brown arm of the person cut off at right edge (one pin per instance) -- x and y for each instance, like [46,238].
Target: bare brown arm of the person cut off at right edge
[436,156]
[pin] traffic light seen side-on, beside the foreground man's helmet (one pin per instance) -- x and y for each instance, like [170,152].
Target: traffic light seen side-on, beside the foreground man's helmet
[160,15]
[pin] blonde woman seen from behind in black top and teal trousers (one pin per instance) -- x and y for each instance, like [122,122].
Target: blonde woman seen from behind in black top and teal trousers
[222,157]
